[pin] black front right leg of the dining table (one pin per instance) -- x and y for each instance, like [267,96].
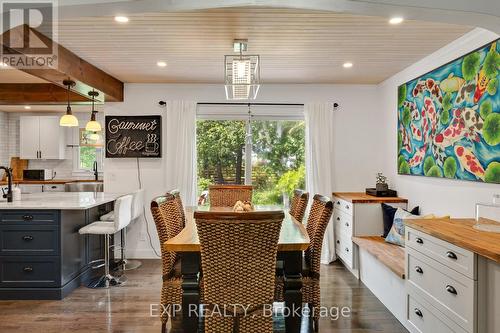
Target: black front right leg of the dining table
[293,289]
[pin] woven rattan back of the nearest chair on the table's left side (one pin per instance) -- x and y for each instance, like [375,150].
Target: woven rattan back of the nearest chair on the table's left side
[165,213]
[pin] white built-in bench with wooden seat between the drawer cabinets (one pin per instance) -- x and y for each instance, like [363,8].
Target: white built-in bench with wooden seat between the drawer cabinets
[381,268]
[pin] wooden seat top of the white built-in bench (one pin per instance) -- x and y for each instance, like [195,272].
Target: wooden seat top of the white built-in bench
[390,255]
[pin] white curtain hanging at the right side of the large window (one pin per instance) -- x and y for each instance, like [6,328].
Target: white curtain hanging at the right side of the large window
[319,162]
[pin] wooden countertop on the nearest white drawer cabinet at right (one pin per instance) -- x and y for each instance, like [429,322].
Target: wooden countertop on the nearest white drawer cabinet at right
[460,232]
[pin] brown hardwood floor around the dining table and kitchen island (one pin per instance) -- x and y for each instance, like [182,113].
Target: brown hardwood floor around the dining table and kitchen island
[127,309]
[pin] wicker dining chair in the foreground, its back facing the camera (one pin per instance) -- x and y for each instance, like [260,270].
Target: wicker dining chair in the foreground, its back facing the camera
[238,257]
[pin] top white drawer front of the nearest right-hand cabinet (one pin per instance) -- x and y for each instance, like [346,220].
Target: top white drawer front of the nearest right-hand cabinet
[456,258]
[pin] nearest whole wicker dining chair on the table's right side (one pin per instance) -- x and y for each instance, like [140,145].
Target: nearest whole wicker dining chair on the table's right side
[319,217]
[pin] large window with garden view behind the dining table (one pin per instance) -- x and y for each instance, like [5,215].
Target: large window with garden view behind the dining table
[264,147]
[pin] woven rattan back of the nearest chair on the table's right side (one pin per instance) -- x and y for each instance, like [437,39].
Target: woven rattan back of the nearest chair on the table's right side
[319,217]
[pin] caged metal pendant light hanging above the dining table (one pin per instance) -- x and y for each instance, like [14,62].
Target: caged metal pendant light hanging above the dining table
[241,73]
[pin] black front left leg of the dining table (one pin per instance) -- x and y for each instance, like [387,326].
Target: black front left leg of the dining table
[190,268]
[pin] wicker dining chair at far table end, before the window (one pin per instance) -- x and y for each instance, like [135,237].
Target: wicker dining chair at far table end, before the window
[228,195]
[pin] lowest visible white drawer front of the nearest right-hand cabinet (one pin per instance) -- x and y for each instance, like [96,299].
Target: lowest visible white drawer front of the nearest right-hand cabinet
[425,319]
